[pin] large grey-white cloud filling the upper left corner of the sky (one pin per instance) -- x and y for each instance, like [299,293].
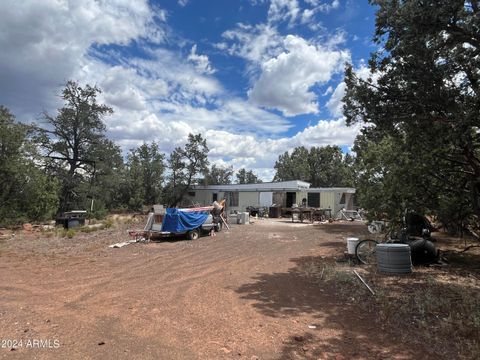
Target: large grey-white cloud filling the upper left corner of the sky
[44,42]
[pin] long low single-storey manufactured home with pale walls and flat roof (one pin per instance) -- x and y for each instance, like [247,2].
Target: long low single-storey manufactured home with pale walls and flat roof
[283,194]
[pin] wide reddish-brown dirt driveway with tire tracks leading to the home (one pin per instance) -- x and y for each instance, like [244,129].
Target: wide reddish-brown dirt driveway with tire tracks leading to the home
[239,295]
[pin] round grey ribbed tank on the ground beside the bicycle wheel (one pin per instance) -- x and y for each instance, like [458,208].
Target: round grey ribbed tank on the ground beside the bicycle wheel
[394,259]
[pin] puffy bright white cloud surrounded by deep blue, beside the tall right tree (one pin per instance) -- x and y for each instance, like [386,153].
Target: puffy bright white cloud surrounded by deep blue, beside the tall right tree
[284,71]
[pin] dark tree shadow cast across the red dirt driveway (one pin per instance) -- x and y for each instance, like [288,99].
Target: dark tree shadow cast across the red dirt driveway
[345,330]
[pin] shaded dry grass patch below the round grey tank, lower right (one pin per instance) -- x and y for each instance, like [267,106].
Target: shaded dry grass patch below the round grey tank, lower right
[436,307]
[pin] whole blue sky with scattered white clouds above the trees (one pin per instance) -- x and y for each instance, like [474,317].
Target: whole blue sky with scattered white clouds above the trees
[255,77]
